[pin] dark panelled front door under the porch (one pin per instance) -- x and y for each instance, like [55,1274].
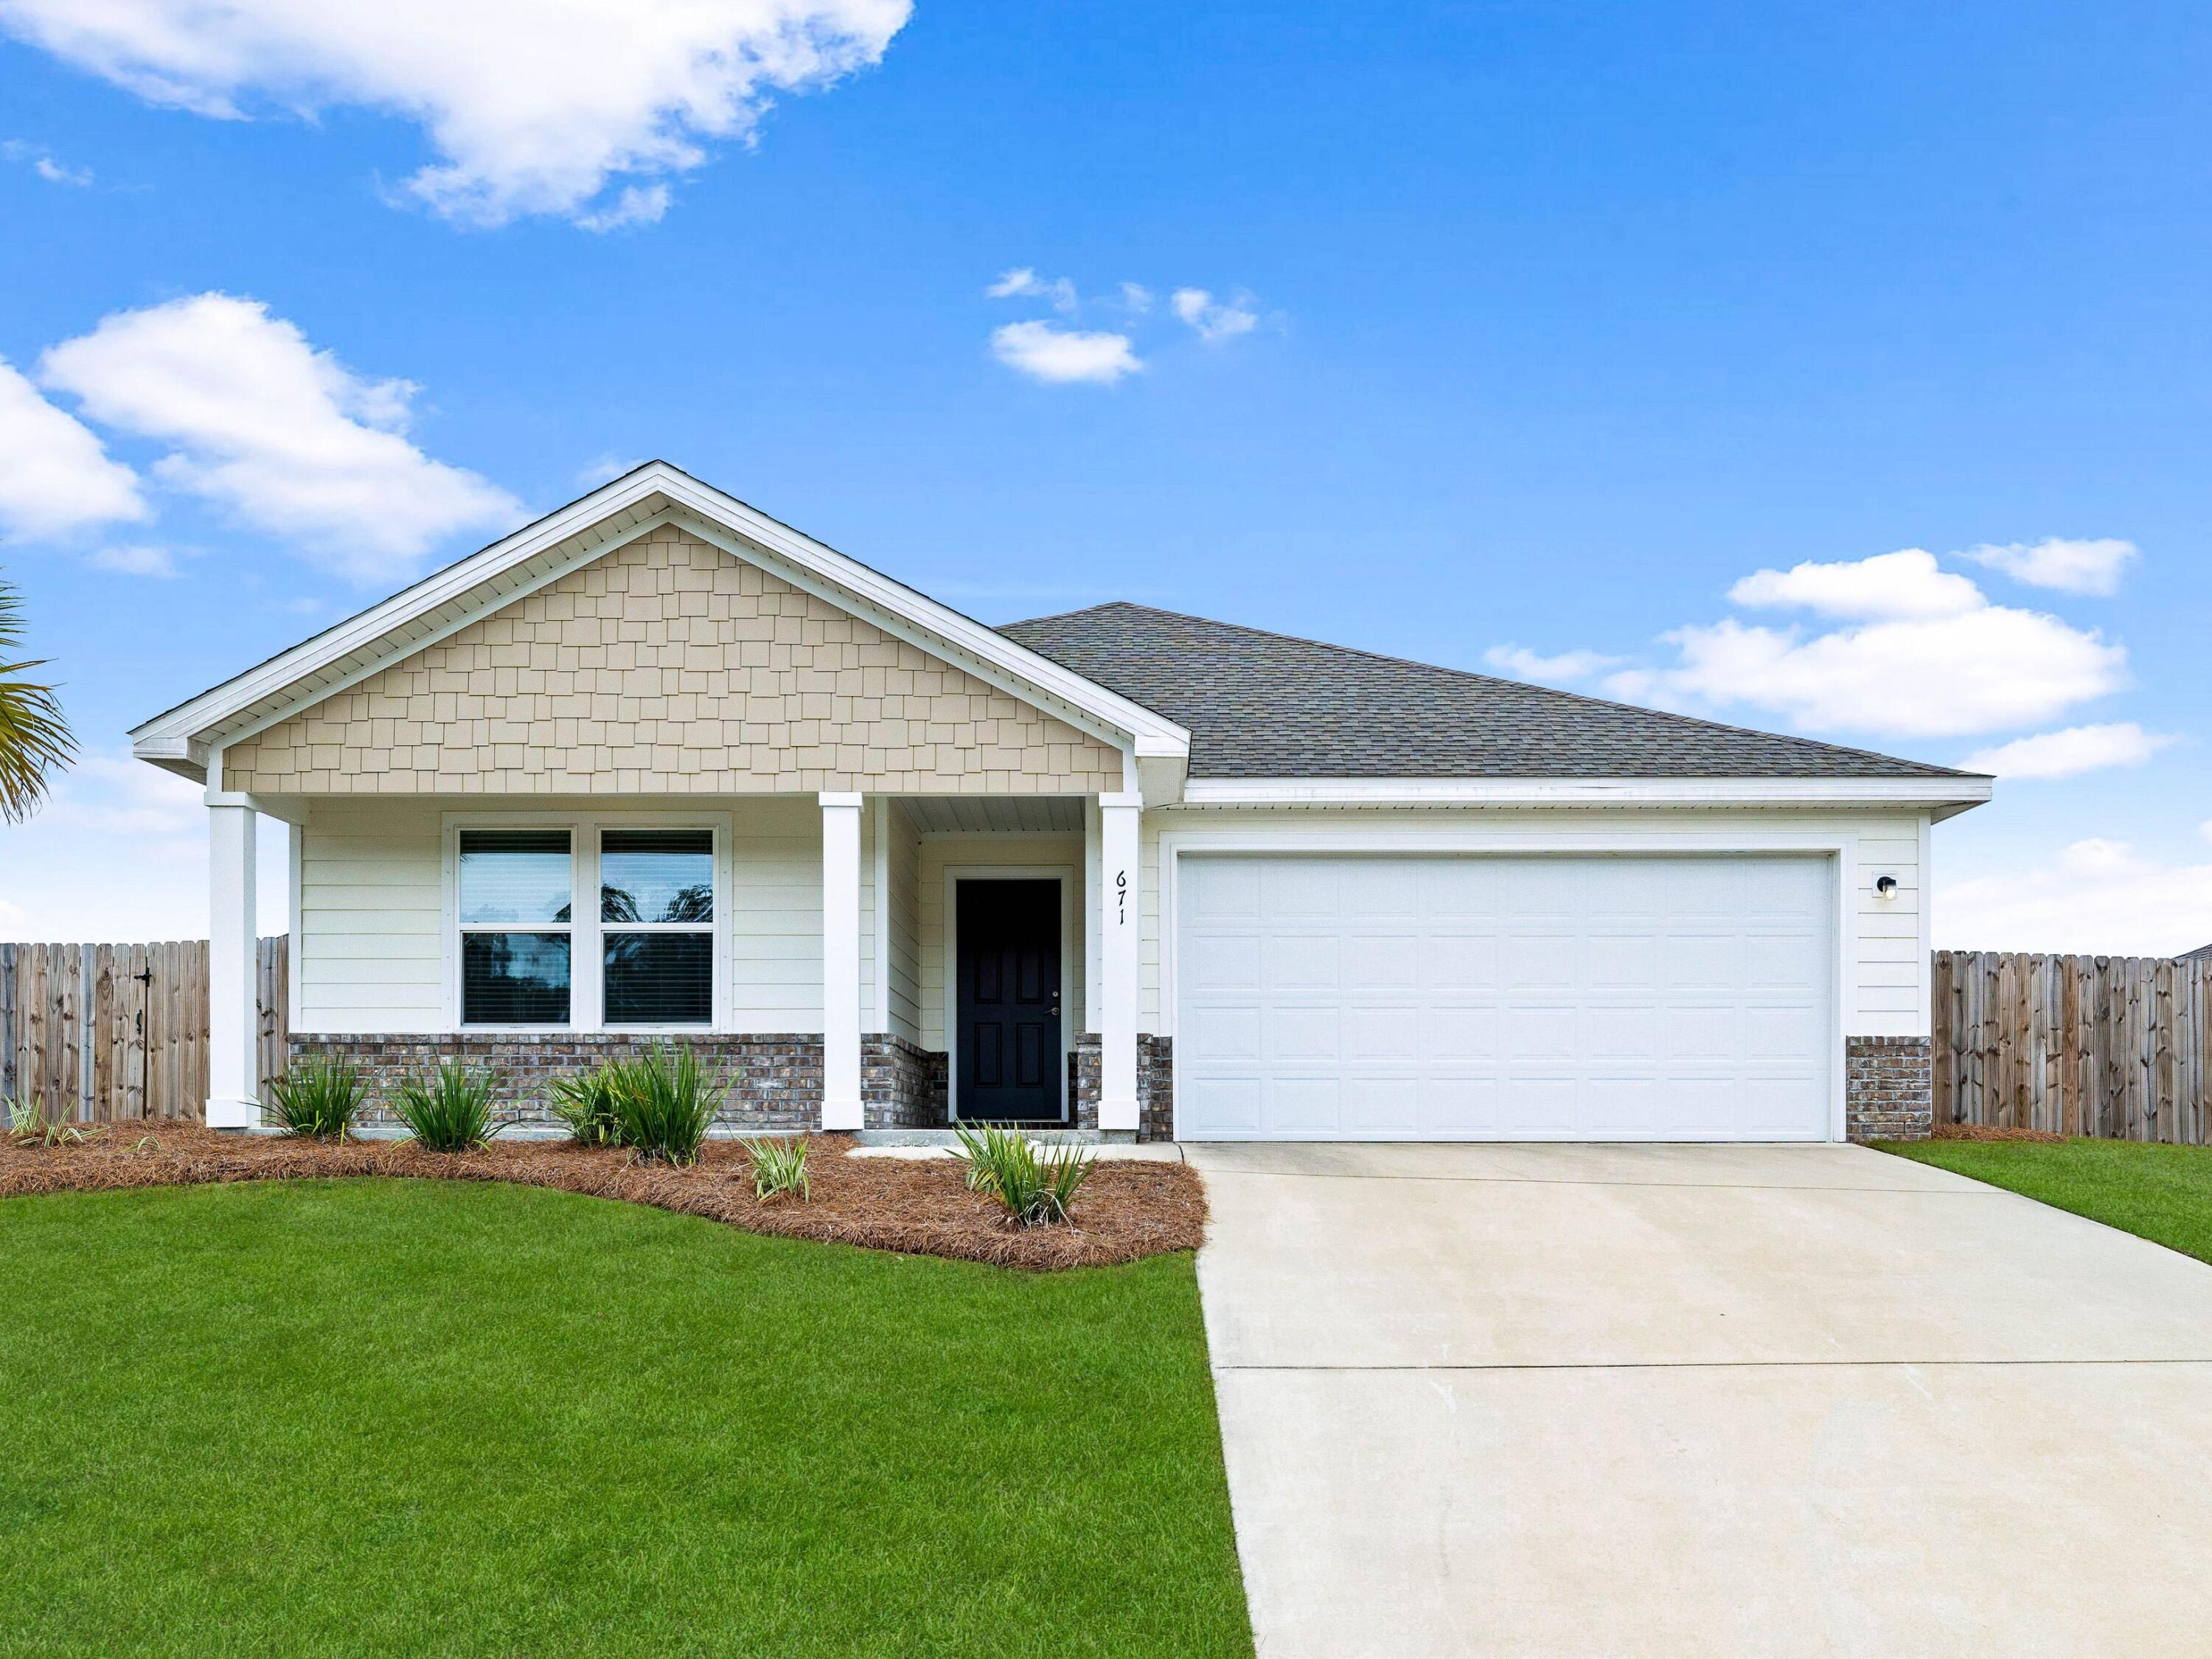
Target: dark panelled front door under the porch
[1008,1005]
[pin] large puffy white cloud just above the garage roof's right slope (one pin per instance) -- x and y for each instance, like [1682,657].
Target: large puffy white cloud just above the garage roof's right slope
[1930,656]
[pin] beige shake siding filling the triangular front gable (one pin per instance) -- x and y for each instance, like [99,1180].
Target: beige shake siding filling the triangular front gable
[671,667]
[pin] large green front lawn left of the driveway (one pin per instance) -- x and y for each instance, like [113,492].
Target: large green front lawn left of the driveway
[419,1417]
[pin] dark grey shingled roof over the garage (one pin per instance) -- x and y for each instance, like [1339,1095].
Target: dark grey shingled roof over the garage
[1271,707]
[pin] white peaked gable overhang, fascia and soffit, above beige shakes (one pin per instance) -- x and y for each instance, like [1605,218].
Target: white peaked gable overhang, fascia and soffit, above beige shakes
[587,530]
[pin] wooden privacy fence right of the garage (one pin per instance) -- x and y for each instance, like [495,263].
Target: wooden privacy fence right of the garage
[2080,1045]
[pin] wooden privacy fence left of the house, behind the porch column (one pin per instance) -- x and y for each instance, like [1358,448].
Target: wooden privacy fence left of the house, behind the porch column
[121,1032]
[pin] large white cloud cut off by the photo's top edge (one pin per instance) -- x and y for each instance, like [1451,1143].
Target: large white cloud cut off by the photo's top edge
[532,107]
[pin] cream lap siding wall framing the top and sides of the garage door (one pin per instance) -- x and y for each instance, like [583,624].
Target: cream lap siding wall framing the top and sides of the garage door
[1886,972]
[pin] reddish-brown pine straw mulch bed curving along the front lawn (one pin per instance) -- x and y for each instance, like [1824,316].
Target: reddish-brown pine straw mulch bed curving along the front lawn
[919,1207]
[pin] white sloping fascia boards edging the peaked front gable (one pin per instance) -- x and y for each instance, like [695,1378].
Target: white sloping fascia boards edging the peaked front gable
[886,598]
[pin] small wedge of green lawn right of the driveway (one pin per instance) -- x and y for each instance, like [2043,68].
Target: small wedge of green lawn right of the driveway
[2162,1193]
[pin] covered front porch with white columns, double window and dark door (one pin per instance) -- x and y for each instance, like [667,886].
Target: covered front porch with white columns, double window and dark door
[848,961]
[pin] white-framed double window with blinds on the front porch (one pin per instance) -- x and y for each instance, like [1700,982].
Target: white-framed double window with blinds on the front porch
[649,939]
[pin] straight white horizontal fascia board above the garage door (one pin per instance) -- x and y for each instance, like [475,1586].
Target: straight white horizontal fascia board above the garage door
[1959,793]
